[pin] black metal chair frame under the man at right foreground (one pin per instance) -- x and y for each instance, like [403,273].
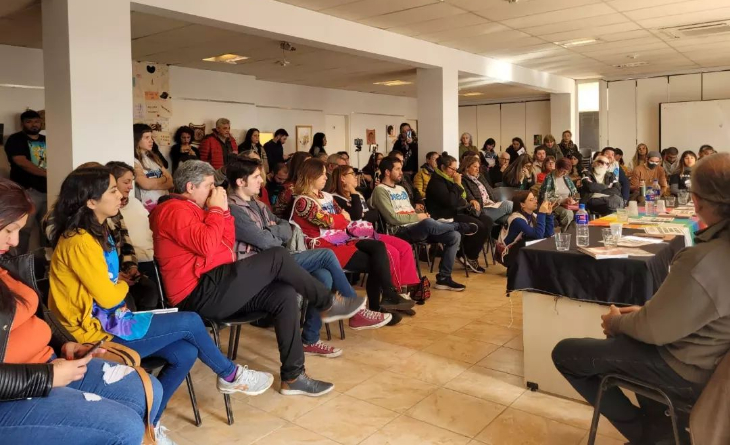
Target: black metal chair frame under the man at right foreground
[640,388]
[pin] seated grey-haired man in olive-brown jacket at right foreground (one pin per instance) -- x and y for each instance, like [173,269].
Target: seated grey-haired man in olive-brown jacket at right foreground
[676,340]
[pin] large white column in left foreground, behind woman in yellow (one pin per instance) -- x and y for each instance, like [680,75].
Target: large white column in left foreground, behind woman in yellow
[87,55]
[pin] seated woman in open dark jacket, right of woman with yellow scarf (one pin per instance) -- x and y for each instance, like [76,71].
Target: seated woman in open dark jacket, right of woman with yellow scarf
[480,194]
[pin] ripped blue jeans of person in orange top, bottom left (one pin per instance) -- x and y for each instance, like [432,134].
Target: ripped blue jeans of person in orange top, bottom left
[65,416]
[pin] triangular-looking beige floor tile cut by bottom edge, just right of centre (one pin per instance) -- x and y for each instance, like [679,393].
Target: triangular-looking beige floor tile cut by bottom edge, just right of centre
[407,431]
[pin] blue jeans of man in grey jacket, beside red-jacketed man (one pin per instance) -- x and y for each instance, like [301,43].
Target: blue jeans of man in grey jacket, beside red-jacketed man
[323,265]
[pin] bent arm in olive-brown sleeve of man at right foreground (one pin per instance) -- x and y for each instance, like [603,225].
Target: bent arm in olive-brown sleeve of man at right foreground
[679,308]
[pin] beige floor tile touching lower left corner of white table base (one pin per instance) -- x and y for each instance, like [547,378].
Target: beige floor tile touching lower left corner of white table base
[487,384]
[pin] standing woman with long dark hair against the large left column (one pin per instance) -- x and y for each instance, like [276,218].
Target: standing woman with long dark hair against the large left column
[152,178]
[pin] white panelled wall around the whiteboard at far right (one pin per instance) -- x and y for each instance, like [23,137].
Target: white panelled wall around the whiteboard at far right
[633,106]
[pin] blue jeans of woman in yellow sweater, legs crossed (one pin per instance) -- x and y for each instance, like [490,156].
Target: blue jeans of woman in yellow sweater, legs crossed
[179,339]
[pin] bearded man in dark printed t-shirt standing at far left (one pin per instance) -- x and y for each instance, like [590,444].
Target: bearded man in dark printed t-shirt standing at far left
[26,152]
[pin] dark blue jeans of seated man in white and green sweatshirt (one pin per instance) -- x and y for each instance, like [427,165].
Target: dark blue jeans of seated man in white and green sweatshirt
[435,232]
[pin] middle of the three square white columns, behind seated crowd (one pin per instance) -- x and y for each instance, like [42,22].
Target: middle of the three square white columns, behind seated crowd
[438,111]
